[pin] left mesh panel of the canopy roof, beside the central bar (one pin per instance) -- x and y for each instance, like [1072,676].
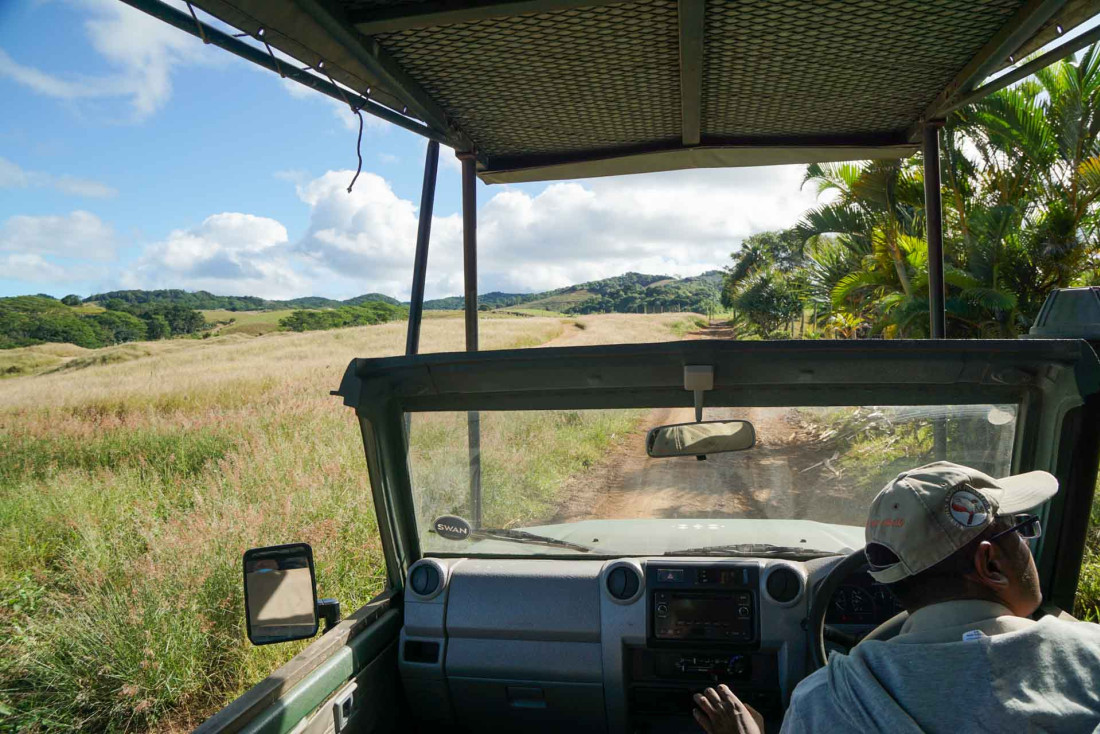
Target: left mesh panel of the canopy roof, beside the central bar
[600,78]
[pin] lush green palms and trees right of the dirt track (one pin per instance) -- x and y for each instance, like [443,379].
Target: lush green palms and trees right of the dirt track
[1020,187]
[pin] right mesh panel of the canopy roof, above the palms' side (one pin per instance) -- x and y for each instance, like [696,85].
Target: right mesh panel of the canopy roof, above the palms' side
[757,82]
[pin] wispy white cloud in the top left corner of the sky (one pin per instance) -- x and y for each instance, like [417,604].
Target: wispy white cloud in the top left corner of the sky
[144,50]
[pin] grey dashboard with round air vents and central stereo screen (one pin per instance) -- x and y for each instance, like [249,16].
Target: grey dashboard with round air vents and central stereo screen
[549,645]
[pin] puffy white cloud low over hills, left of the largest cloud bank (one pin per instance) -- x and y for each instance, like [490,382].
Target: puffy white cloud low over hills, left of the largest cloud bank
[229,254]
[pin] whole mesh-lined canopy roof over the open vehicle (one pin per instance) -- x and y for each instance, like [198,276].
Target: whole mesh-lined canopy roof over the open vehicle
[544,90]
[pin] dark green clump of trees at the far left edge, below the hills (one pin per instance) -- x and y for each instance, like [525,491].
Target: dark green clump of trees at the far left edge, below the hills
[27,321]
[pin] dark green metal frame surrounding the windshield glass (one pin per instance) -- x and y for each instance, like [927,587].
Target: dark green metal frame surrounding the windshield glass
[1049,380]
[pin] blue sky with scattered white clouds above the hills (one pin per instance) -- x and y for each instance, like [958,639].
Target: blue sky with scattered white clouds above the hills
[135,157]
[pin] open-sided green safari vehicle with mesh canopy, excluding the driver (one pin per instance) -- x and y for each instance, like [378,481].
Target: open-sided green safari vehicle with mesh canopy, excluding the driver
[720,540]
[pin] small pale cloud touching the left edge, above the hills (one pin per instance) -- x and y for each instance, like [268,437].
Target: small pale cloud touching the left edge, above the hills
[79,235]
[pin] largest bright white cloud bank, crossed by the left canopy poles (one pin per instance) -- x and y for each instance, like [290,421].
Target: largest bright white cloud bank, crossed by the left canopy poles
[677,224]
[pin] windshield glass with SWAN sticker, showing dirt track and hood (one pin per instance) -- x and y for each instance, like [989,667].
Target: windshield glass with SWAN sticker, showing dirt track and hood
[553,483]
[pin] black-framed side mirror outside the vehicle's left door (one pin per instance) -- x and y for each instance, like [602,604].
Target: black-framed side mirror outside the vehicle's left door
[280,594]
